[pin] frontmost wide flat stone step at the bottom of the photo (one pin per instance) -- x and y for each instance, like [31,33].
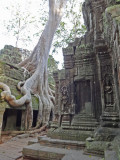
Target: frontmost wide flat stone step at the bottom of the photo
[38,151]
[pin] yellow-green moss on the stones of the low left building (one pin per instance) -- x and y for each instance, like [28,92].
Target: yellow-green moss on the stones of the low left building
[11,75]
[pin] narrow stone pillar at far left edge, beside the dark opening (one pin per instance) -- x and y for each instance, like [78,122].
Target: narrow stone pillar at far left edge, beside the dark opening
[2,110]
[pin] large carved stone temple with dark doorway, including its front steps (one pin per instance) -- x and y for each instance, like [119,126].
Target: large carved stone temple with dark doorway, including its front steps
[87,90]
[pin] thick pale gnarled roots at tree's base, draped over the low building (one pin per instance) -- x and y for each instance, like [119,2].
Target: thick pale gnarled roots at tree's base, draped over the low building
[6,95]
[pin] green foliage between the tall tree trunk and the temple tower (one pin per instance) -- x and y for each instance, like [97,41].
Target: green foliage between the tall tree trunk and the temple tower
[70,27]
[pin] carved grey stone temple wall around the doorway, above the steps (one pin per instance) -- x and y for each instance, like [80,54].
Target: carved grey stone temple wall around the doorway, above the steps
[89,85]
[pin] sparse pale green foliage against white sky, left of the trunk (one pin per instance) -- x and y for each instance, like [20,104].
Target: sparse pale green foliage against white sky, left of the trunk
[18,25]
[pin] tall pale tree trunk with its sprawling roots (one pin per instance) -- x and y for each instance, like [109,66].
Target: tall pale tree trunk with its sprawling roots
[36,64]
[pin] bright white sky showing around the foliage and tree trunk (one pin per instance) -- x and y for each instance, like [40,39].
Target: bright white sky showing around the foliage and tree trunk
[33,6]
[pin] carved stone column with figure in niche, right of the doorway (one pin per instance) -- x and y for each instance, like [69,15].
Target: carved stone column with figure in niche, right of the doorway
[110,116]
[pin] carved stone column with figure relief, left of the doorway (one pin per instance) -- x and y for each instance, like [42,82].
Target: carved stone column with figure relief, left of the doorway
[67,86]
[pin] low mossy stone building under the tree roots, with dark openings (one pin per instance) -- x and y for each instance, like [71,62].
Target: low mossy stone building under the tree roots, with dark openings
[13,118]
